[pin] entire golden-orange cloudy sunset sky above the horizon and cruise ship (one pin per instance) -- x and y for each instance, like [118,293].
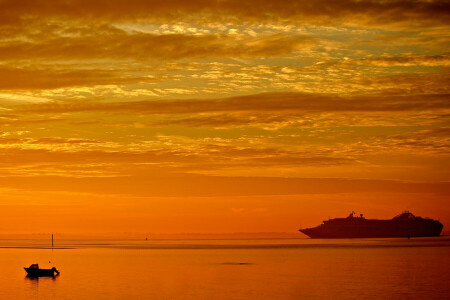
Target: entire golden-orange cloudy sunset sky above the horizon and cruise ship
[166,117]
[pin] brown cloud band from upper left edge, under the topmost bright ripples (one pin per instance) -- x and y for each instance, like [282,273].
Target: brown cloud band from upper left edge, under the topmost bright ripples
[139,46]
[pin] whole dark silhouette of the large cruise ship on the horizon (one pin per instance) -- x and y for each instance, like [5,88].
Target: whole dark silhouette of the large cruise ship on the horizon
[403,225]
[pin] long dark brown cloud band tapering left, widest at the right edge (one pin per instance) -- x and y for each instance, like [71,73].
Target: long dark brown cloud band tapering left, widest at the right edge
[266,102]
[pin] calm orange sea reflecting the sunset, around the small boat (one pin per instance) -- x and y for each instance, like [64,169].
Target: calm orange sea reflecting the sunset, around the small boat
[238,269]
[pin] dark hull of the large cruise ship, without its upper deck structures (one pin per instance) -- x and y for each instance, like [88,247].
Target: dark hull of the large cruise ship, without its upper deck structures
[376,229]
